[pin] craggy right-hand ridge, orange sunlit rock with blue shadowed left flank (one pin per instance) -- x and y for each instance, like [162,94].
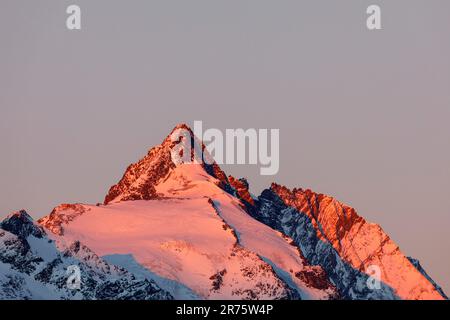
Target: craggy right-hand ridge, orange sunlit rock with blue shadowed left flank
[335,237]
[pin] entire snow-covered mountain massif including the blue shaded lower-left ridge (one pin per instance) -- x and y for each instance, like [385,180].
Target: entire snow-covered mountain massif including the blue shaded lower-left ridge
[187,231]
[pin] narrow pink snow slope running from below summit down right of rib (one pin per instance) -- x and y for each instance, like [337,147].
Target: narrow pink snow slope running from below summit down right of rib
[189,181]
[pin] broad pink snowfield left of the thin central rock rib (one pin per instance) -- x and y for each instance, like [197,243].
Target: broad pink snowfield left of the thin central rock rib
[182,240]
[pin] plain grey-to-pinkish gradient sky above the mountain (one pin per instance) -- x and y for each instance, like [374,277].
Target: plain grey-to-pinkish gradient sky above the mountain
[363,116]
